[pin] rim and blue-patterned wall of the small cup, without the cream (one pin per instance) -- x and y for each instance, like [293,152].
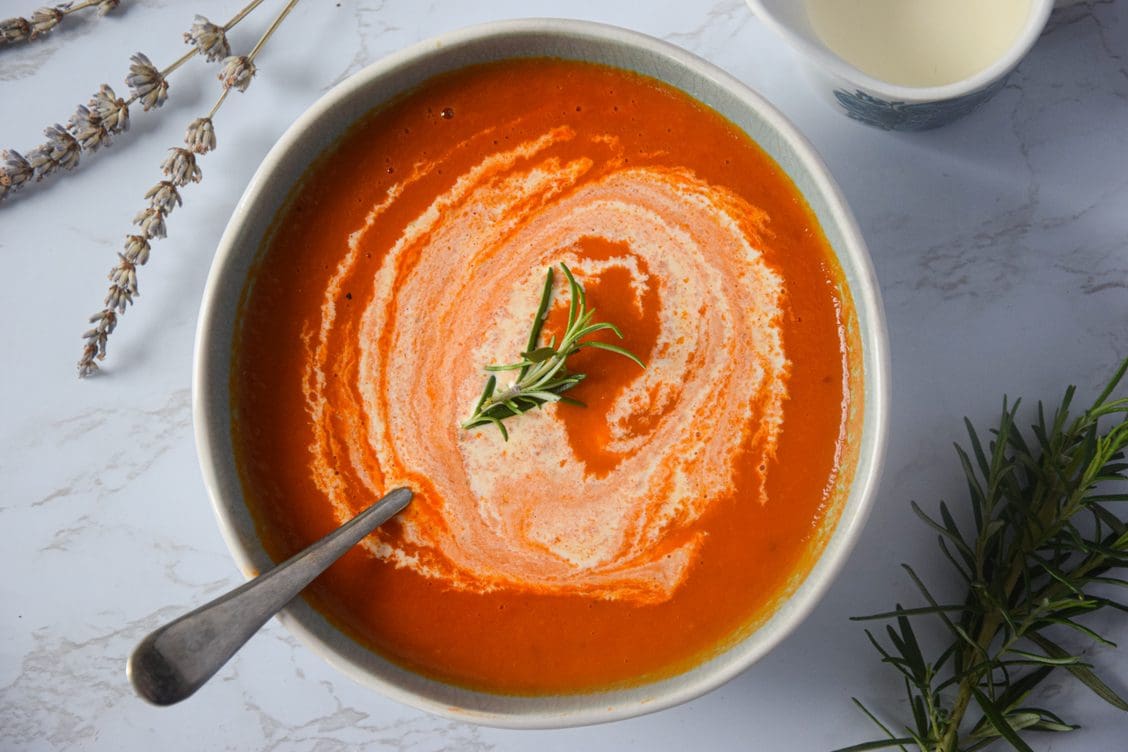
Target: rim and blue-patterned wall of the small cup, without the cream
[895,107]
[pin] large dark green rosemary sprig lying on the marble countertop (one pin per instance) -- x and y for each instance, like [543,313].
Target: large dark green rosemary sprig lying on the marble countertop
[1046,548]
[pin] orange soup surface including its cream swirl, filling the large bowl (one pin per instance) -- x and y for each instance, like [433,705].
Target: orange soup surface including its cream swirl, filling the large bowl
[601,546]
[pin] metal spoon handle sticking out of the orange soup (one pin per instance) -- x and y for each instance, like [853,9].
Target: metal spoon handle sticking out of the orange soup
[175,661]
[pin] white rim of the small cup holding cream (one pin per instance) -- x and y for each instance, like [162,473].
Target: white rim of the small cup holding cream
[826,59]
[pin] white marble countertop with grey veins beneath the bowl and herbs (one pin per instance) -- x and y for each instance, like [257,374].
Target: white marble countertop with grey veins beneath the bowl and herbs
[1001,247]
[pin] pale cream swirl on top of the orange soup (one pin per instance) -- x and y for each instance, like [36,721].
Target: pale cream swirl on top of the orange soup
[530,514]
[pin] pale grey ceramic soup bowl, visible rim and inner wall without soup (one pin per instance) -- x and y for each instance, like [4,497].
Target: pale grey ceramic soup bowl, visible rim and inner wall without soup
[319,129]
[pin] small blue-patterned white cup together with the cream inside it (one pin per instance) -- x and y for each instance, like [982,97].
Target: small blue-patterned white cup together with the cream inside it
[909,65]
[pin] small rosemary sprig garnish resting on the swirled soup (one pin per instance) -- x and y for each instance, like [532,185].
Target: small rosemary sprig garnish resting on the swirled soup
[542,373]
